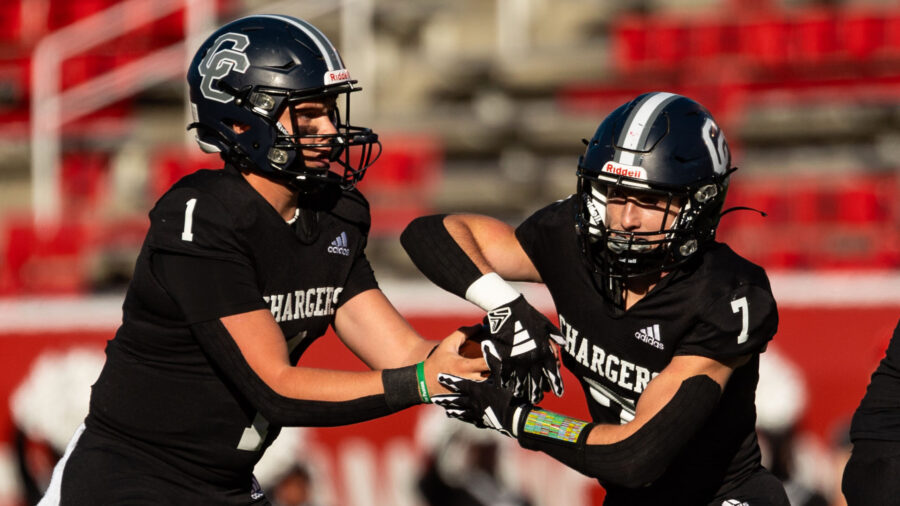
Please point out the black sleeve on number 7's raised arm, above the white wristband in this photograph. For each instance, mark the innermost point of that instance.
(434, 252)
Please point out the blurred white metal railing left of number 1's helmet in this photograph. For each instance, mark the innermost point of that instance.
(52, 107)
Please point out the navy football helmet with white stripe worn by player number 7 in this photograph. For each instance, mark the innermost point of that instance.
(658, 143)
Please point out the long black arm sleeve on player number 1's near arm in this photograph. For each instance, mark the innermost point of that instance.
(285, 411)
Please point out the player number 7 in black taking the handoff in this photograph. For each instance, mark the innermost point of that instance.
(661, 324)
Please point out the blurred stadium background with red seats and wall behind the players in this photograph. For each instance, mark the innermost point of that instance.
(481, 106)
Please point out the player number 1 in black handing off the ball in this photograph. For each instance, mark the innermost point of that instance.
(241, 270)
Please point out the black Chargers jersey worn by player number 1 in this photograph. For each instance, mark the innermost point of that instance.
(159, 390)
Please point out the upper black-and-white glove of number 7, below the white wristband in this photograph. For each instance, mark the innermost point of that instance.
(518, 351)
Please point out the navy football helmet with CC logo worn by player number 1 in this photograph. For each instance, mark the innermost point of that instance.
(247, 73)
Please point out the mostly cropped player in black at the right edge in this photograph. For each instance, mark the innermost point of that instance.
(871, 475)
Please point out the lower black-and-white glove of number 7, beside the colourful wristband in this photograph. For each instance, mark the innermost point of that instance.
(482, 404)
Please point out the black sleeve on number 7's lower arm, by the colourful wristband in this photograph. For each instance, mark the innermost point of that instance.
(644, 456)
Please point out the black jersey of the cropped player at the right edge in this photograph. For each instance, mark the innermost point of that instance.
(878, 415)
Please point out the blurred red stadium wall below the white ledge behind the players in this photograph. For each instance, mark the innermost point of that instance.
(836, 348)
